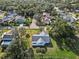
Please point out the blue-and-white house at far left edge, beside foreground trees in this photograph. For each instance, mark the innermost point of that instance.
(6, 40)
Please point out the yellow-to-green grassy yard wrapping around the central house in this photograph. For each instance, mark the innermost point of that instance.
(53, 51)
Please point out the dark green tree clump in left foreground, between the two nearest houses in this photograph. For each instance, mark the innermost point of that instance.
(18, 49)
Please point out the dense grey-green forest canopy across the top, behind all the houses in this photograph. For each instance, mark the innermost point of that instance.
(29, 7)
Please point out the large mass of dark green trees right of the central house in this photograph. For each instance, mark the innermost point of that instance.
(64, 35)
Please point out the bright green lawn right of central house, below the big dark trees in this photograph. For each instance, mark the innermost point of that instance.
(56, 52)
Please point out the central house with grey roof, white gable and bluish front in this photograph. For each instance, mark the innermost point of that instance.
(40, 39)
